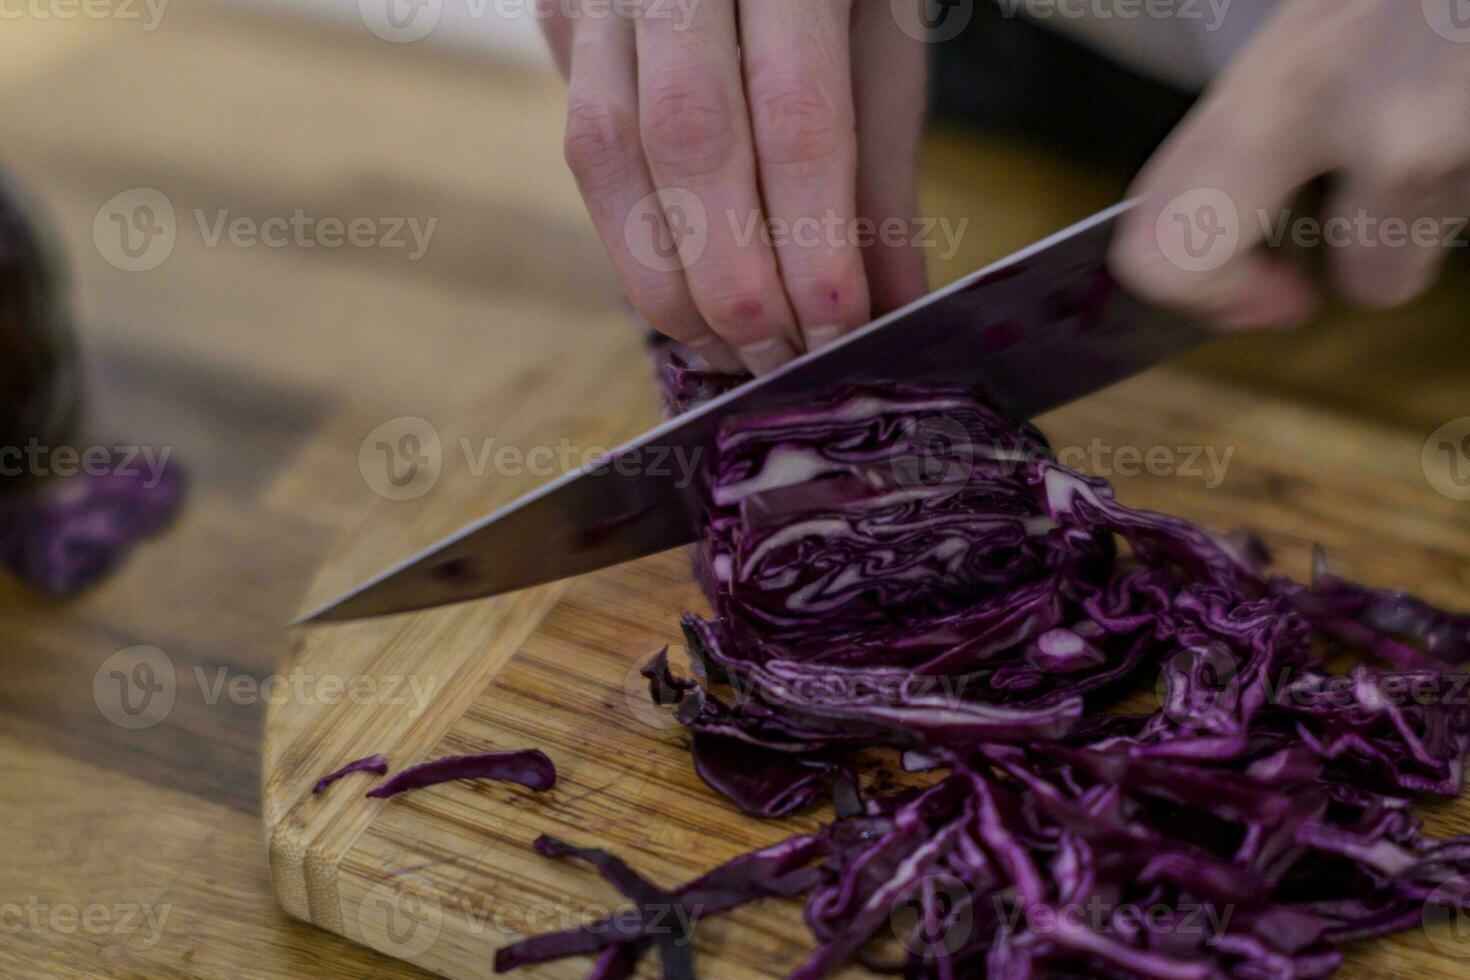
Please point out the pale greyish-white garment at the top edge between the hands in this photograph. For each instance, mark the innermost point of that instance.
(1180, 42)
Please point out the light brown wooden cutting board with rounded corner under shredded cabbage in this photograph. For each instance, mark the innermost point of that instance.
(445, 876)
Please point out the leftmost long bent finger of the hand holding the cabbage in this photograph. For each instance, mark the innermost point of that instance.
(606, 158)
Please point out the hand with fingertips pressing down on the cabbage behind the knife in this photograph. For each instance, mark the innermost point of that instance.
(803, 114)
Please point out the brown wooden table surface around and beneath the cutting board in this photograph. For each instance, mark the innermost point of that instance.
(139, 853)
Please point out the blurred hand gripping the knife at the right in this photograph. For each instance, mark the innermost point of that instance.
(1375, 93)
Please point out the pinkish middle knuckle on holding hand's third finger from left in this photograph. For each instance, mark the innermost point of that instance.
(797, 123)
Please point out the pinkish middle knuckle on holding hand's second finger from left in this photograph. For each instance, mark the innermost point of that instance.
(689, 124)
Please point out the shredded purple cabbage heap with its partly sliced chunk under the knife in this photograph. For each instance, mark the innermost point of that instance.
(908, 569)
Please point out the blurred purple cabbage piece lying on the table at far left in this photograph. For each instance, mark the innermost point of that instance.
(68, 533)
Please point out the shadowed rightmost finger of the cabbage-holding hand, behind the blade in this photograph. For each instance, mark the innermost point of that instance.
(890, 90)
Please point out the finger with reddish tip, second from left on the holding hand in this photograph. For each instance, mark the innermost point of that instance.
(696, 136)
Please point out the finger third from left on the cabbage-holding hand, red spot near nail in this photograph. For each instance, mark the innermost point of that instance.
(799, 82)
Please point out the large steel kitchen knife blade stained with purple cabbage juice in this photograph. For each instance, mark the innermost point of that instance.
(1034, 331)
